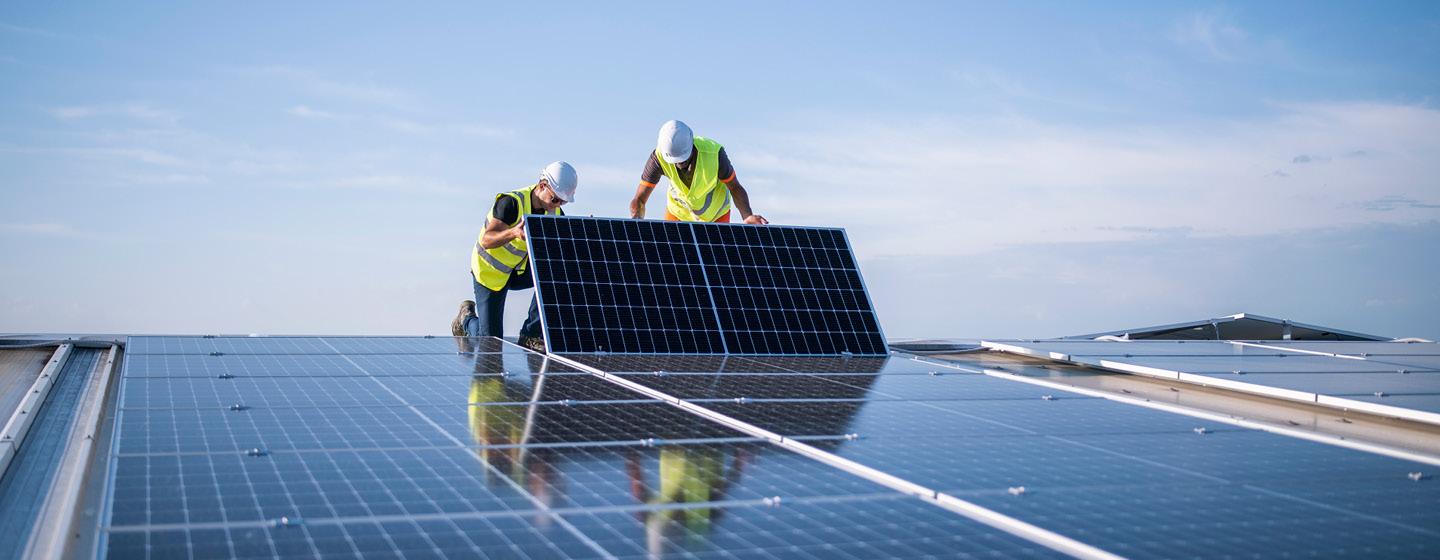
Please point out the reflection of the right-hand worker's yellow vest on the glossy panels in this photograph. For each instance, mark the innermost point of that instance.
(689, 474)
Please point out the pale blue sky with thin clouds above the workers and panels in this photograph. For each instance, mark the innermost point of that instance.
(1029, 169)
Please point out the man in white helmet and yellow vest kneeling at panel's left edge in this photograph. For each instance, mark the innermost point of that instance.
(499, 263)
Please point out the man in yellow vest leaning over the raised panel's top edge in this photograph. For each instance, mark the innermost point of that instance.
(702, 179)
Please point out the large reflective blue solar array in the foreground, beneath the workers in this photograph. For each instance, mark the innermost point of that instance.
(503, 454)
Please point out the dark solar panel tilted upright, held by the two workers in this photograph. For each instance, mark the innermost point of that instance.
(699, 289)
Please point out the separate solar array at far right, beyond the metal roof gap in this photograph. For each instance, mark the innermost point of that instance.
(1393, 379)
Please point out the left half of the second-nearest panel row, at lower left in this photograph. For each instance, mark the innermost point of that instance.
(231, 487)
